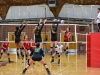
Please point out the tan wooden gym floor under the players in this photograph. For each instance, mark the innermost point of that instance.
(75, 66)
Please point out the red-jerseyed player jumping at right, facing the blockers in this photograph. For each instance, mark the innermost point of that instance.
(66, 39)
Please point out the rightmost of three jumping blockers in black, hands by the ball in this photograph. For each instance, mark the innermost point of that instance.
(54, 37)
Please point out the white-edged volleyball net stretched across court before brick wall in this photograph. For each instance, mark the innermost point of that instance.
(79, 33)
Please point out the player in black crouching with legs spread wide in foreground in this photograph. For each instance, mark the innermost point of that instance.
(37, 54)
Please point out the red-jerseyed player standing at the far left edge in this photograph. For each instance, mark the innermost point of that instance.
(4, 48)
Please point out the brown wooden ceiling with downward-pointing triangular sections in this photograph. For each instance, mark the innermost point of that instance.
(6, 4)
